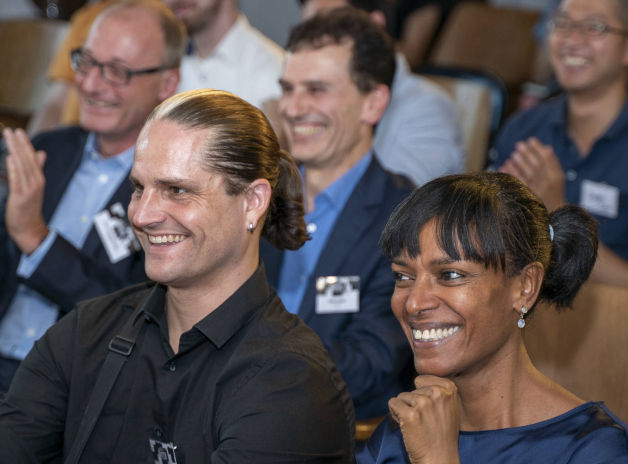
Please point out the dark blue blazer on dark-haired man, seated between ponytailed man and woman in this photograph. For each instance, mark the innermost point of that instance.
(368, 347)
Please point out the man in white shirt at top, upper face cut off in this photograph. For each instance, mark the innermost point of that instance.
(225, 52)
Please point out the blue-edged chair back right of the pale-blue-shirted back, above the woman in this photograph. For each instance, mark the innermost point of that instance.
(480, 99)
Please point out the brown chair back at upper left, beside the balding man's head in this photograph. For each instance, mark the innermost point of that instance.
(27, 48)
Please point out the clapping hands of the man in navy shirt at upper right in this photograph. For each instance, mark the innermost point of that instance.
(536, 165)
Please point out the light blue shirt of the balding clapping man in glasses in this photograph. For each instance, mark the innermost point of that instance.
(96, 180)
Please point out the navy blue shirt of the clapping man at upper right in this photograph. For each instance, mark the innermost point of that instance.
(607, 163)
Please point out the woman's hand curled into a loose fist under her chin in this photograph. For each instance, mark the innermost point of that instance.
(429, 418)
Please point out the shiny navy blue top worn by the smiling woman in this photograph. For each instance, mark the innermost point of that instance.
(588, 434)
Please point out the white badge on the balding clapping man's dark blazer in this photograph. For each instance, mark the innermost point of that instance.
(115, 233)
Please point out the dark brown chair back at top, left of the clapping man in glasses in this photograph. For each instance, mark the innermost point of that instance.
(484, 37)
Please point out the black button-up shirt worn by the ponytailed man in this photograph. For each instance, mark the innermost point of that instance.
(250, 383)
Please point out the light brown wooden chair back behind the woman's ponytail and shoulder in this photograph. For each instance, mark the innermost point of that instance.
(585, 349)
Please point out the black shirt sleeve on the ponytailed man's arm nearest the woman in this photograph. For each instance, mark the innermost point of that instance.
(289, 409)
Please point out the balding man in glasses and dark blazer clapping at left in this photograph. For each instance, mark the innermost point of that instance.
(64, 235)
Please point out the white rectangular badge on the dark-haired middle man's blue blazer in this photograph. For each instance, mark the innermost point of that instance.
(337, 294)
